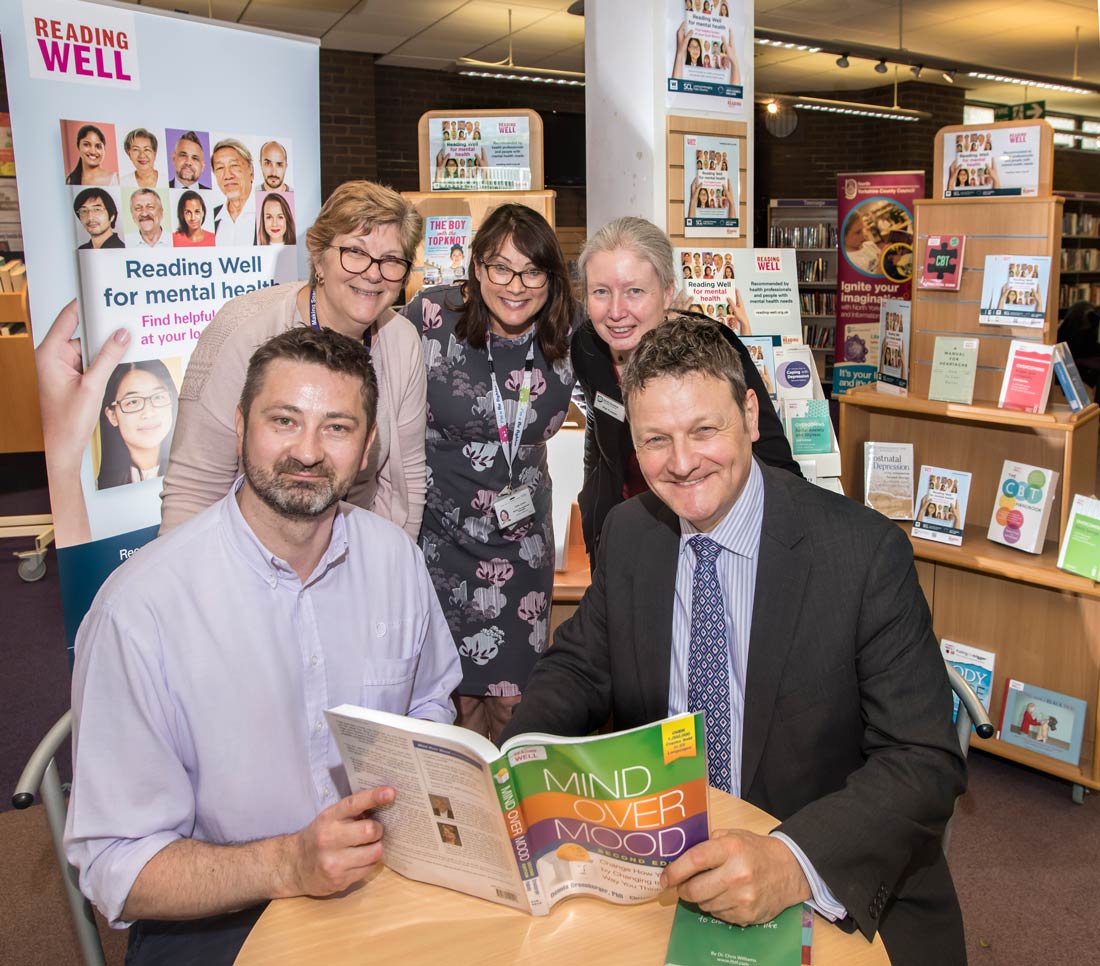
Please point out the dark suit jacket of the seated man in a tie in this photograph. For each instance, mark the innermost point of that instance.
(848, 736)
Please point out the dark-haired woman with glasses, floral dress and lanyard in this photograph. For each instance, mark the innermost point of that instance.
(497, 348)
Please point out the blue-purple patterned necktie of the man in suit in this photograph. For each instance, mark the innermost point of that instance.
(709, 660)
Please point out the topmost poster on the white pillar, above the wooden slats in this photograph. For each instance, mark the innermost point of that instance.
(707, 53)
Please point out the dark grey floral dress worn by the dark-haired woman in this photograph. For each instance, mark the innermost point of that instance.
(494, 587)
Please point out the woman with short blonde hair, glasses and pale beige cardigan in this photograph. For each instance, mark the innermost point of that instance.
(361, 249)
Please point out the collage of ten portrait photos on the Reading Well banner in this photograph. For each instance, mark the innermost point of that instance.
(140, 186)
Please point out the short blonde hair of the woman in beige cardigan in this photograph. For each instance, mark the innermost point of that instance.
(359, 208)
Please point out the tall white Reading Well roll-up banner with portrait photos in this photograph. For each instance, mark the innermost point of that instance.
(166, 166)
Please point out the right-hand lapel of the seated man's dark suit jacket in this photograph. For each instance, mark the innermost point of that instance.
(782, 573)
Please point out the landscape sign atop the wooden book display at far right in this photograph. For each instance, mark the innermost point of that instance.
(998, 161)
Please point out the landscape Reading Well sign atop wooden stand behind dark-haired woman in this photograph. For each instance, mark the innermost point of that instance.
(480, 155)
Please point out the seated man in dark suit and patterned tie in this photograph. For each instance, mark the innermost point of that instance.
(834, 713)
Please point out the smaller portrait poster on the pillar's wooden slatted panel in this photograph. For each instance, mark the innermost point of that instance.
(711, 186)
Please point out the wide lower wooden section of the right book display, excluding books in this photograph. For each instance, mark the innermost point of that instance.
(1042, 623)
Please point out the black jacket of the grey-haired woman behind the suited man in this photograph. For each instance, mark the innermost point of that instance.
(608, 444)
